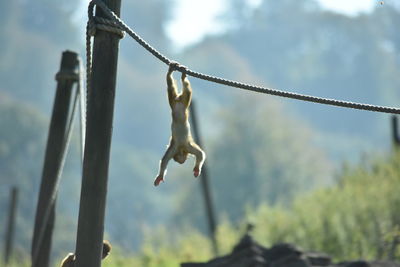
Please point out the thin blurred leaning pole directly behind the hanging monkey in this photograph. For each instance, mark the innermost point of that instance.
(205, 184)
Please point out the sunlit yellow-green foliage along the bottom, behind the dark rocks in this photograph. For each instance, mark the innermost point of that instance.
(356, 218)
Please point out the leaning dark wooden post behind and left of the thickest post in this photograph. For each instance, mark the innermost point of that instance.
(45, 212)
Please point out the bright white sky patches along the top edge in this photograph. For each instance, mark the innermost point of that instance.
(195, 19)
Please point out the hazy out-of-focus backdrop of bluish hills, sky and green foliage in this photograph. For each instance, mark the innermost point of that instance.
(282, 164)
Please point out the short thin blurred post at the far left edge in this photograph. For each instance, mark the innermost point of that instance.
(11, 224)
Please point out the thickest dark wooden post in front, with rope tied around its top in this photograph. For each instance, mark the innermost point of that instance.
(97, 146)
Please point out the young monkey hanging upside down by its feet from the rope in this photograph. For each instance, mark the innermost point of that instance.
(181, 141)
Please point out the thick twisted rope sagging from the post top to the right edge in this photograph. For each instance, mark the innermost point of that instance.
(259, 89)
